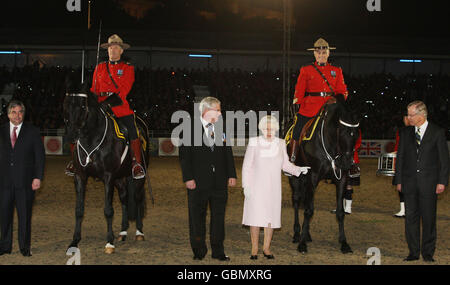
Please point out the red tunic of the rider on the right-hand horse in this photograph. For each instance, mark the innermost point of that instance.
(310, 80)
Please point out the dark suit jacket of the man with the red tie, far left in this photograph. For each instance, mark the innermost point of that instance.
(19, 166)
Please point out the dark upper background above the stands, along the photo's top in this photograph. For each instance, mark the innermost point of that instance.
(402, 25)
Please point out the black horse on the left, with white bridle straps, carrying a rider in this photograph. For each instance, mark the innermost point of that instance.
(102, 152)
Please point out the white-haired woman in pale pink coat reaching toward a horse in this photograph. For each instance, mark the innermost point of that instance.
(264, 160)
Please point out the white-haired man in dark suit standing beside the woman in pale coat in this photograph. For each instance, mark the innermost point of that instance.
(208, 169)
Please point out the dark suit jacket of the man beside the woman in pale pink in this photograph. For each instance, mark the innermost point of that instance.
(209, 169)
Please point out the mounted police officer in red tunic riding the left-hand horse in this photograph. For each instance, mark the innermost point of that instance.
(112, 82)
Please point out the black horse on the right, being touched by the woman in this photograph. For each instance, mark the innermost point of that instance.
(329, 153)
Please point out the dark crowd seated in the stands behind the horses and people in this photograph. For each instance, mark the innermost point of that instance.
(381, 99)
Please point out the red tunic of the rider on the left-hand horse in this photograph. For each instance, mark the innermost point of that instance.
(123, 74)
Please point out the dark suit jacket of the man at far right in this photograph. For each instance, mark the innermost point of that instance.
(427, 167)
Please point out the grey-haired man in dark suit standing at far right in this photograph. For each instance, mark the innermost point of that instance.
(421, 174)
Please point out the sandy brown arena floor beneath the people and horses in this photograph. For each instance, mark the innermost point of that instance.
(166, 226)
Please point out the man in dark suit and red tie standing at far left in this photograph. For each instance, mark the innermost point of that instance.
(22, 158)
